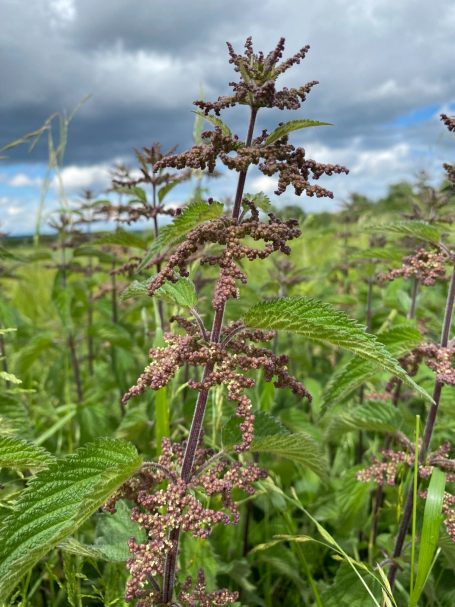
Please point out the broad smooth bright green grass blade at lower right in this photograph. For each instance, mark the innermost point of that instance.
(431, 527)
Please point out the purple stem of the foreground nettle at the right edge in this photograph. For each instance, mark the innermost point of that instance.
(429, 426)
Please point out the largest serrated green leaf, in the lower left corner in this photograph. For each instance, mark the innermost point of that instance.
(57, 501)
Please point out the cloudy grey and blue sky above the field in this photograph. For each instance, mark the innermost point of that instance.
(385, 67)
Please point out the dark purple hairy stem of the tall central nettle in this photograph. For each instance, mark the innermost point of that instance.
(199, 411)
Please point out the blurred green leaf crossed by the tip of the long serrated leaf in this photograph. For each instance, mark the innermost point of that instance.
(399, 340)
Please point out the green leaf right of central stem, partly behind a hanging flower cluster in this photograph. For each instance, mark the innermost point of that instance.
(272, 438)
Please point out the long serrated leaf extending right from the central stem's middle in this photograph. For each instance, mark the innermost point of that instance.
(321, 323)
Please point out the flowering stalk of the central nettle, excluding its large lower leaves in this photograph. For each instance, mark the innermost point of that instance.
(179, 493)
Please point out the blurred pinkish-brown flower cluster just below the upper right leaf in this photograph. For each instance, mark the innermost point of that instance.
(426, 266)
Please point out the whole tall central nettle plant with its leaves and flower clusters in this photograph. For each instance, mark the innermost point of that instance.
(191, 488)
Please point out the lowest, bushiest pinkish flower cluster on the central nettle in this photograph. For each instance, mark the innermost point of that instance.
(164, 502)
